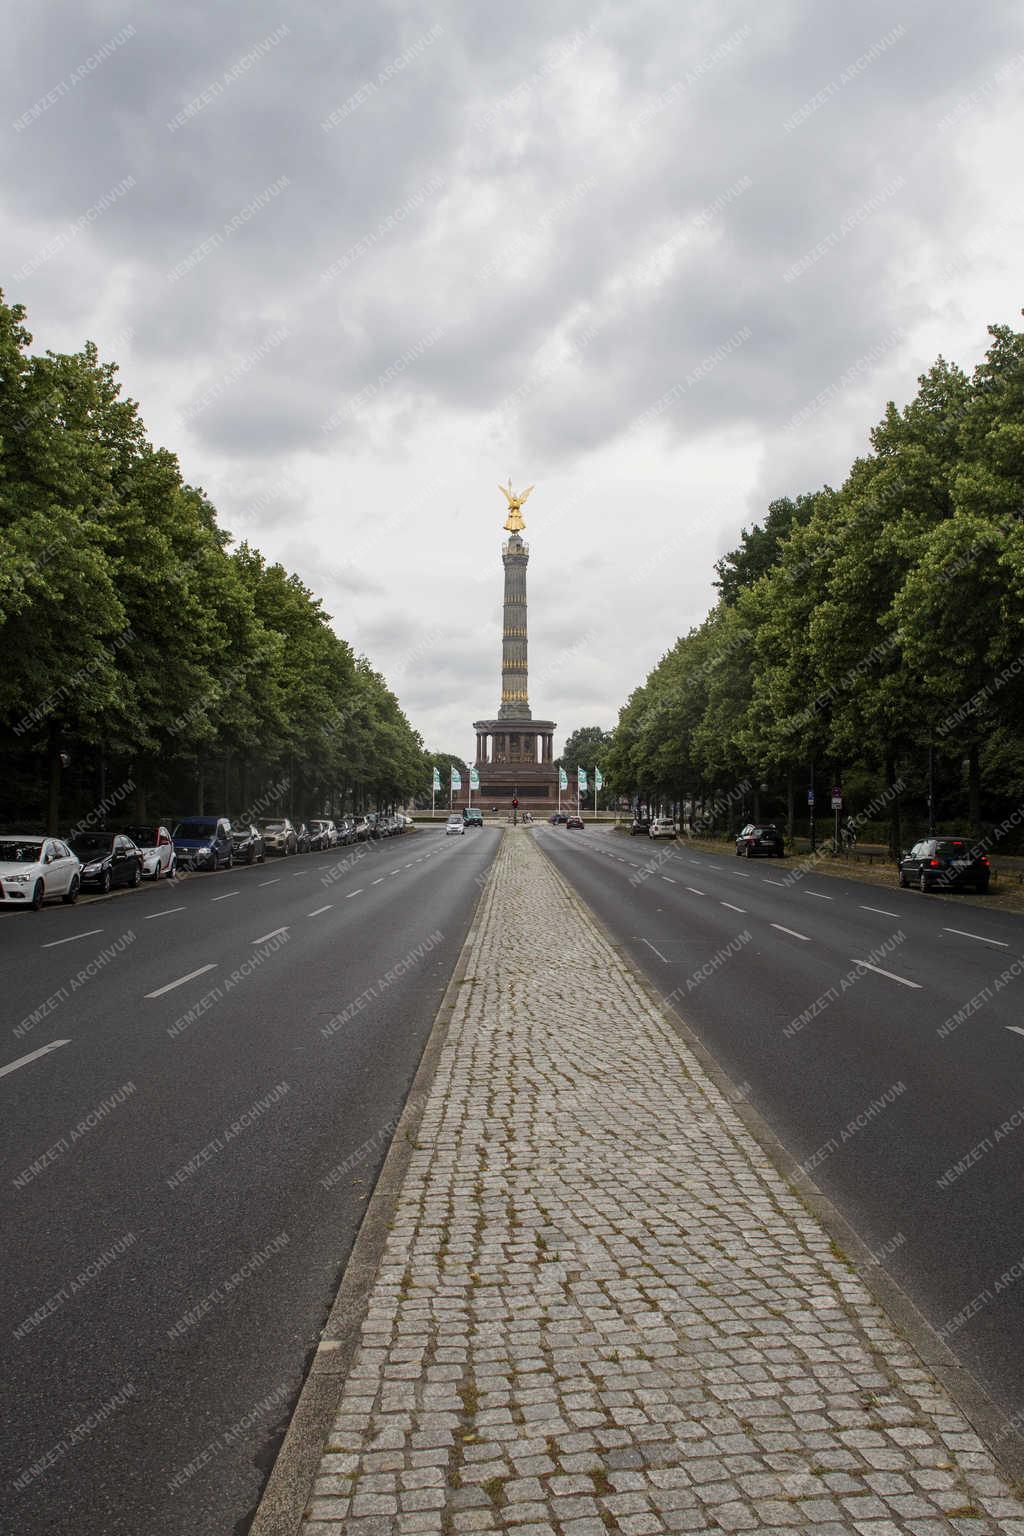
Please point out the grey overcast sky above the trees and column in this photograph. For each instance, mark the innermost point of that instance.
(664, 260)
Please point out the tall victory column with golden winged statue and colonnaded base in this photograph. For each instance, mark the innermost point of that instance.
(515, 753)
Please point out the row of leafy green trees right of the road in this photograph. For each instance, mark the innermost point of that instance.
(870, 637)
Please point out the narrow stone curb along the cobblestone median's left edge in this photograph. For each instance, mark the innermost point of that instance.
(286, 1495)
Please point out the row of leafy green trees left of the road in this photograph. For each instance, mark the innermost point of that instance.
(148, 663)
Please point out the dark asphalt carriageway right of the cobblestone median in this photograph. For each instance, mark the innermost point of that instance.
(880, 1034)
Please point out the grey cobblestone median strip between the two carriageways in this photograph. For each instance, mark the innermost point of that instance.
(603, 1309)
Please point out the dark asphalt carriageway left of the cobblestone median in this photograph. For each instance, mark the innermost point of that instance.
(187, 1164)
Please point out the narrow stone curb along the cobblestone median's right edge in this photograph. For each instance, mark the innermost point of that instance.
(993, 1426)
